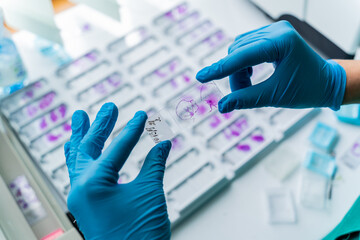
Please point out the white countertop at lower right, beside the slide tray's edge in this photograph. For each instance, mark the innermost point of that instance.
(240, 212)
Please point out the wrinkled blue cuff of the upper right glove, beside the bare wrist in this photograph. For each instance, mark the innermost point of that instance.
(338, 79)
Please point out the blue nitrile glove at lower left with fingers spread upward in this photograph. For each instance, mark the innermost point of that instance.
(103, 208)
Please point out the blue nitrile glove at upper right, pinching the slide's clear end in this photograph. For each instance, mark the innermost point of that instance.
(301, 79)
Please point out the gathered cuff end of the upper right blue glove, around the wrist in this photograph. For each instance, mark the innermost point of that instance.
(336, 80)
